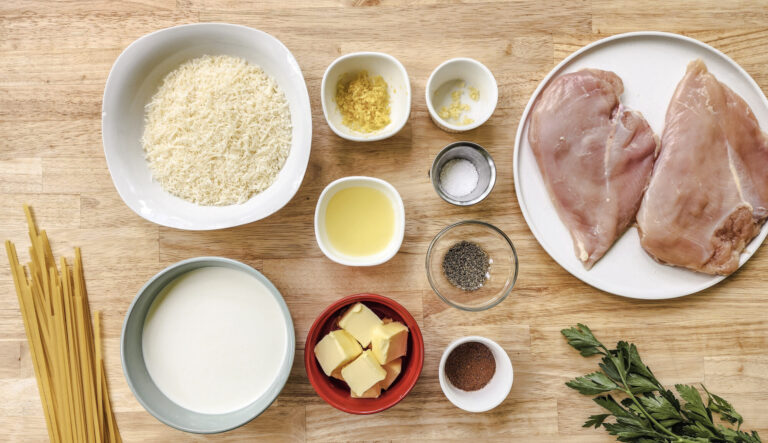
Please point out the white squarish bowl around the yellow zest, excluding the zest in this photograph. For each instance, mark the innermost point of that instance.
(376, 63)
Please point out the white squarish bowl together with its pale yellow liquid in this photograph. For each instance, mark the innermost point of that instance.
(360, 221)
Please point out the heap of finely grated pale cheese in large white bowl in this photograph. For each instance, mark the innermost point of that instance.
(217, 131)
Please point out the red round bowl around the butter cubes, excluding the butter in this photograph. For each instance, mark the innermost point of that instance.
(336, 392)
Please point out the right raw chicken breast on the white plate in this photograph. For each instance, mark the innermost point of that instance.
(708, 194)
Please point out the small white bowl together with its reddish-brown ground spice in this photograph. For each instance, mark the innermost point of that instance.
(475, 373)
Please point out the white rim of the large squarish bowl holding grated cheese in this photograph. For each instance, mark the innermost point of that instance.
(192, 226)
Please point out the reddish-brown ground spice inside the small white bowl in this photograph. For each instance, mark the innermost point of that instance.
(470, 366)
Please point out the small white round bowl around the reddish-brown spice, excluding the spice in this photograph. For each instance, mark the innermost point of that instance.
(492, 394)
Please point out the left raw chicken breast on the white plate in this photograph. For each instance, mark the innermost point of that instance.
(595, 157)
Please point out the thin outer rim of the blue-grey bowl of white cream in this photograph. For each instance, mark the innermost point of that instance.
(290, 354)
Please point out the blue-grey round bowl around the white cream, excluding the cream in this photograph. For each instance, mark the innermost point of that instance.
(144, 388)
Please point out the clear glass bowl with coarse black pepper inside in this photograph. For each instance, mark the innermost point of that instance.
(472, 265)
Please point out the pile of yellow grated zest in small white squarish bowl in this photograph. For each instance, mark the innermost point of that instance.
(363, 101)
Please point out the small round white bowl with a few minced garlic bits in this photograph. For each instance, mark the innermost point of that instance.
(445, 78)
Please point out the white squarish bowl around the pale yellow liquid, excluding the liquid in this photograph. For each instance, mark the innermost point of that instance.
(322, 236)
